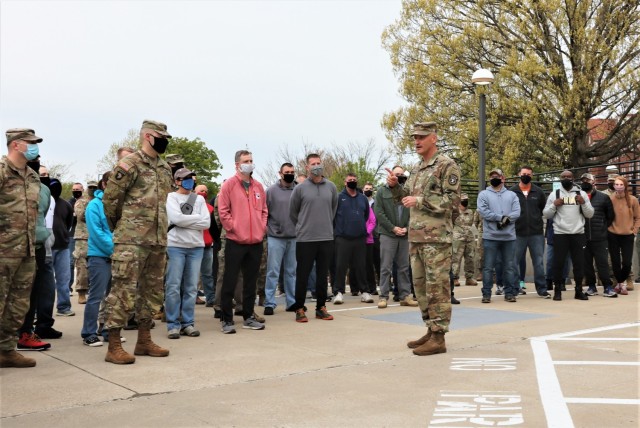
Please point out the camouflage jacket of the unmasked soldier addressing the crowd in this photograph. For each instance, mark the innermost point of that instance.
(436, 185)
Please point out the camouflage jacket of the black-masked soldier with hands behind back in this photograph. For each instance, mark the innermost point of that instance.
(135, 200)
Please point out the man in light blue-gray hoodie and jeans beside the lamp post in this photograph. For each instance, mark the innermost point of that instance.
(499, 209)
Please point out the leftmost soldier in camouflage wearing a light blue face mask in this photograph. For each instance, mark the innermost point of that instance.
(19, 195)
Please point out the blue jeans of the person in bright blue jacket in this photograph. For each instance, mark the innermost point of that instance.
(99, 269)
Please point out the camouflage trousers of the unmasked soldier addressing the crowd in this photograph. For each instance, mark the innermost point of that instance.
(430, 264)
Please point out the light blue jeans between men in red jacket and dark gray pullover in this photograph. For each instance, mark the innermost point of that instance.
(279, 251)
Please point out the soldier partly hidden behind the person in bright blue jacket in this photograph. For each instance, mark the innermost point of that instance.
(81, 236)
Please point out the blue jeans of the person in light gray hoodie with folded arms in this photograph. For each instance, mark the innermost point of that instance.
(183, 268)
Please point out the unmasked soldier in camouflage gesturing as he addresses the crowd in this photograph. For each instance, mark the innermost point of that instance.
(433, 193)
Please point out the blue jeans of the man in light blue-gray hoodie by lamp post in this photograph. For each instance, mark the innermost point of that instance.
(492, 250)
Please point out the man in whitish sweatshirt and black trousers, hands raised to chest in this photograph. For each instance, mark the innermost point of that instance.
(568, 207)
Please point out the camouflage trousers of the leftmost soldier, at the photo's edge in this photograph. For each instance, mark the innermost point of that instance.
(16, 281)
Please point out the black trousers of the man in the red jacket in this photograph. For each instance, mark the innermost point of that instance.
(245, 258)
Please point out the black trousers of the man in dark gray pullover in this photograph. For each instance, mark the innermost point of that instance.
(307, 253)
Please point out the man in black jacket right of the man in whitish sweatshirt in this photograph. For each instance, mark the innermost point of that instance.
(595, 229)
